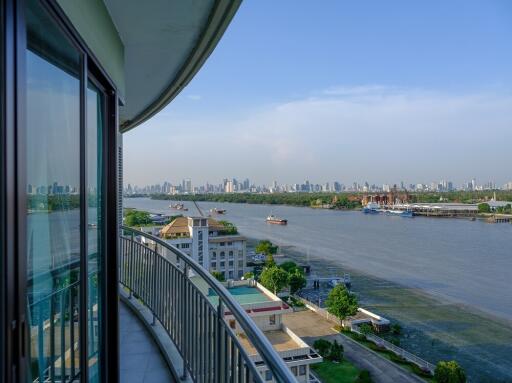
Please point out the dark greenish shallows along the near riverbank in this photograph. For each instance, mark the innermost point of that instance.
(433, 327)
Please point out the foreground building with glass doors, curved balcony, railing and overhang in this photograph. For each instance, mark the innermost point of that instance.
(74, 77)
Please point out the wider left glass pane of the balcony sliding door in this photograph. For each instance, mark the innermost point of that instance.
(52, 156)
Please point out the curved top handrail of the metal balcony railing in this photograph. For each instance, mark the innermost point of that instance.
(260, 342)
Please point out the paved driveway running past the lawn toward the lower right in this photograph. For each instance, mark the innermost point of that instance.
(311, 326)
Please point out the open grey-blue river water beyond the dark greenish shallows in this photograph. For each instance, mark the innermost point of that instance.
(464, 261)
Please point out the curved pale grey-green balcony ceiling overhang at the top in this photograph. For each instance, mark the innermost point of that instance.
(165, 43)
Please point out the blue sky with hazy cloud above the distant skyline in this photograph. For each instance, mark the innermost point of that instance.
(377, 91)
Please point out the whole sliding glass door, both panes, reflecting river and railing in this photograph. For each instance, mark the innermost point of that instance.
(63, 145)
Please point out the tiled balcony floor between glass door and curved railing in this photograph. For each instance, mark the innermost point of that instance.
(141, 361)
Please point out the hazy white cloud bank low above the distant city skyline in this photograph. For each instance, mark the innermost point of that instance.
(374, 133)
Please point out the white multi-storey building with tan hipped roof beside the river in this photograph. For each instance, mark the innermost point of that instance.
(206, 241)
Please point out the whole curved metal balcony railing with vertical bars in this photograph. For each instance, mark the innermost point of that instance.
(177, 289)
